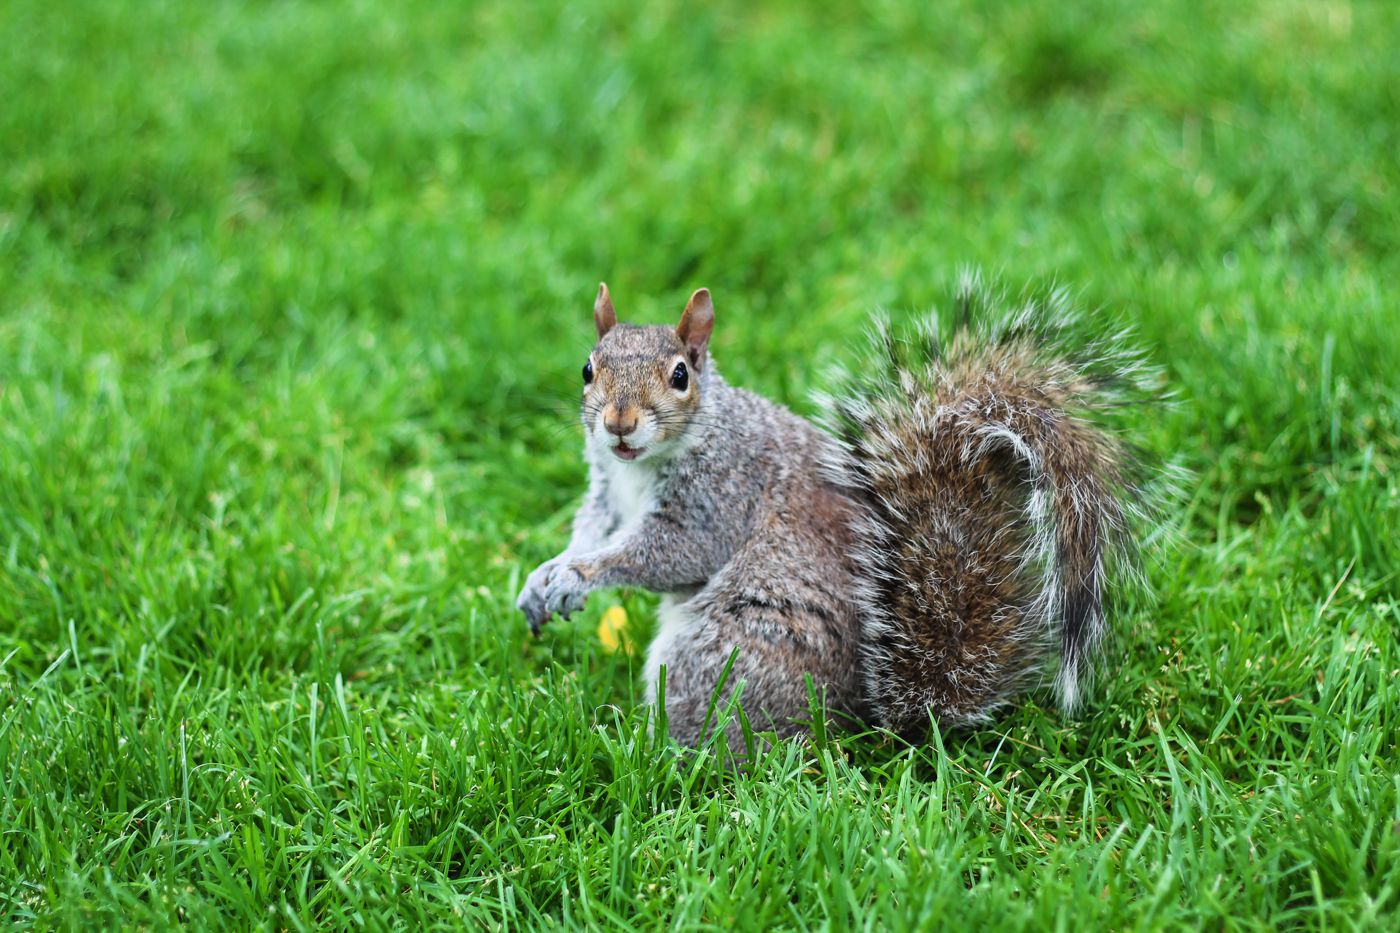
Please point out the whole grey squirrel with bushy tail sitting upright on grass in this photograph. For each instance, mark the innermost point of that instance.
(950, 536)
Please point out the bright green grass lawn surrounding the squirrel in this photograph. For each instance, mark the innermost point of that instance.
(292, 296)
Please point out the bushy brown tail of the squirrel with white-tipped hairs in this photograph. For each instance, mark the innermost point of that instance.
(999, 506)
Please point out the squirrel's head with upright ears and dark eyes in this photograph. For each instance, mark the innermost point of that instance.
(643, 385)
